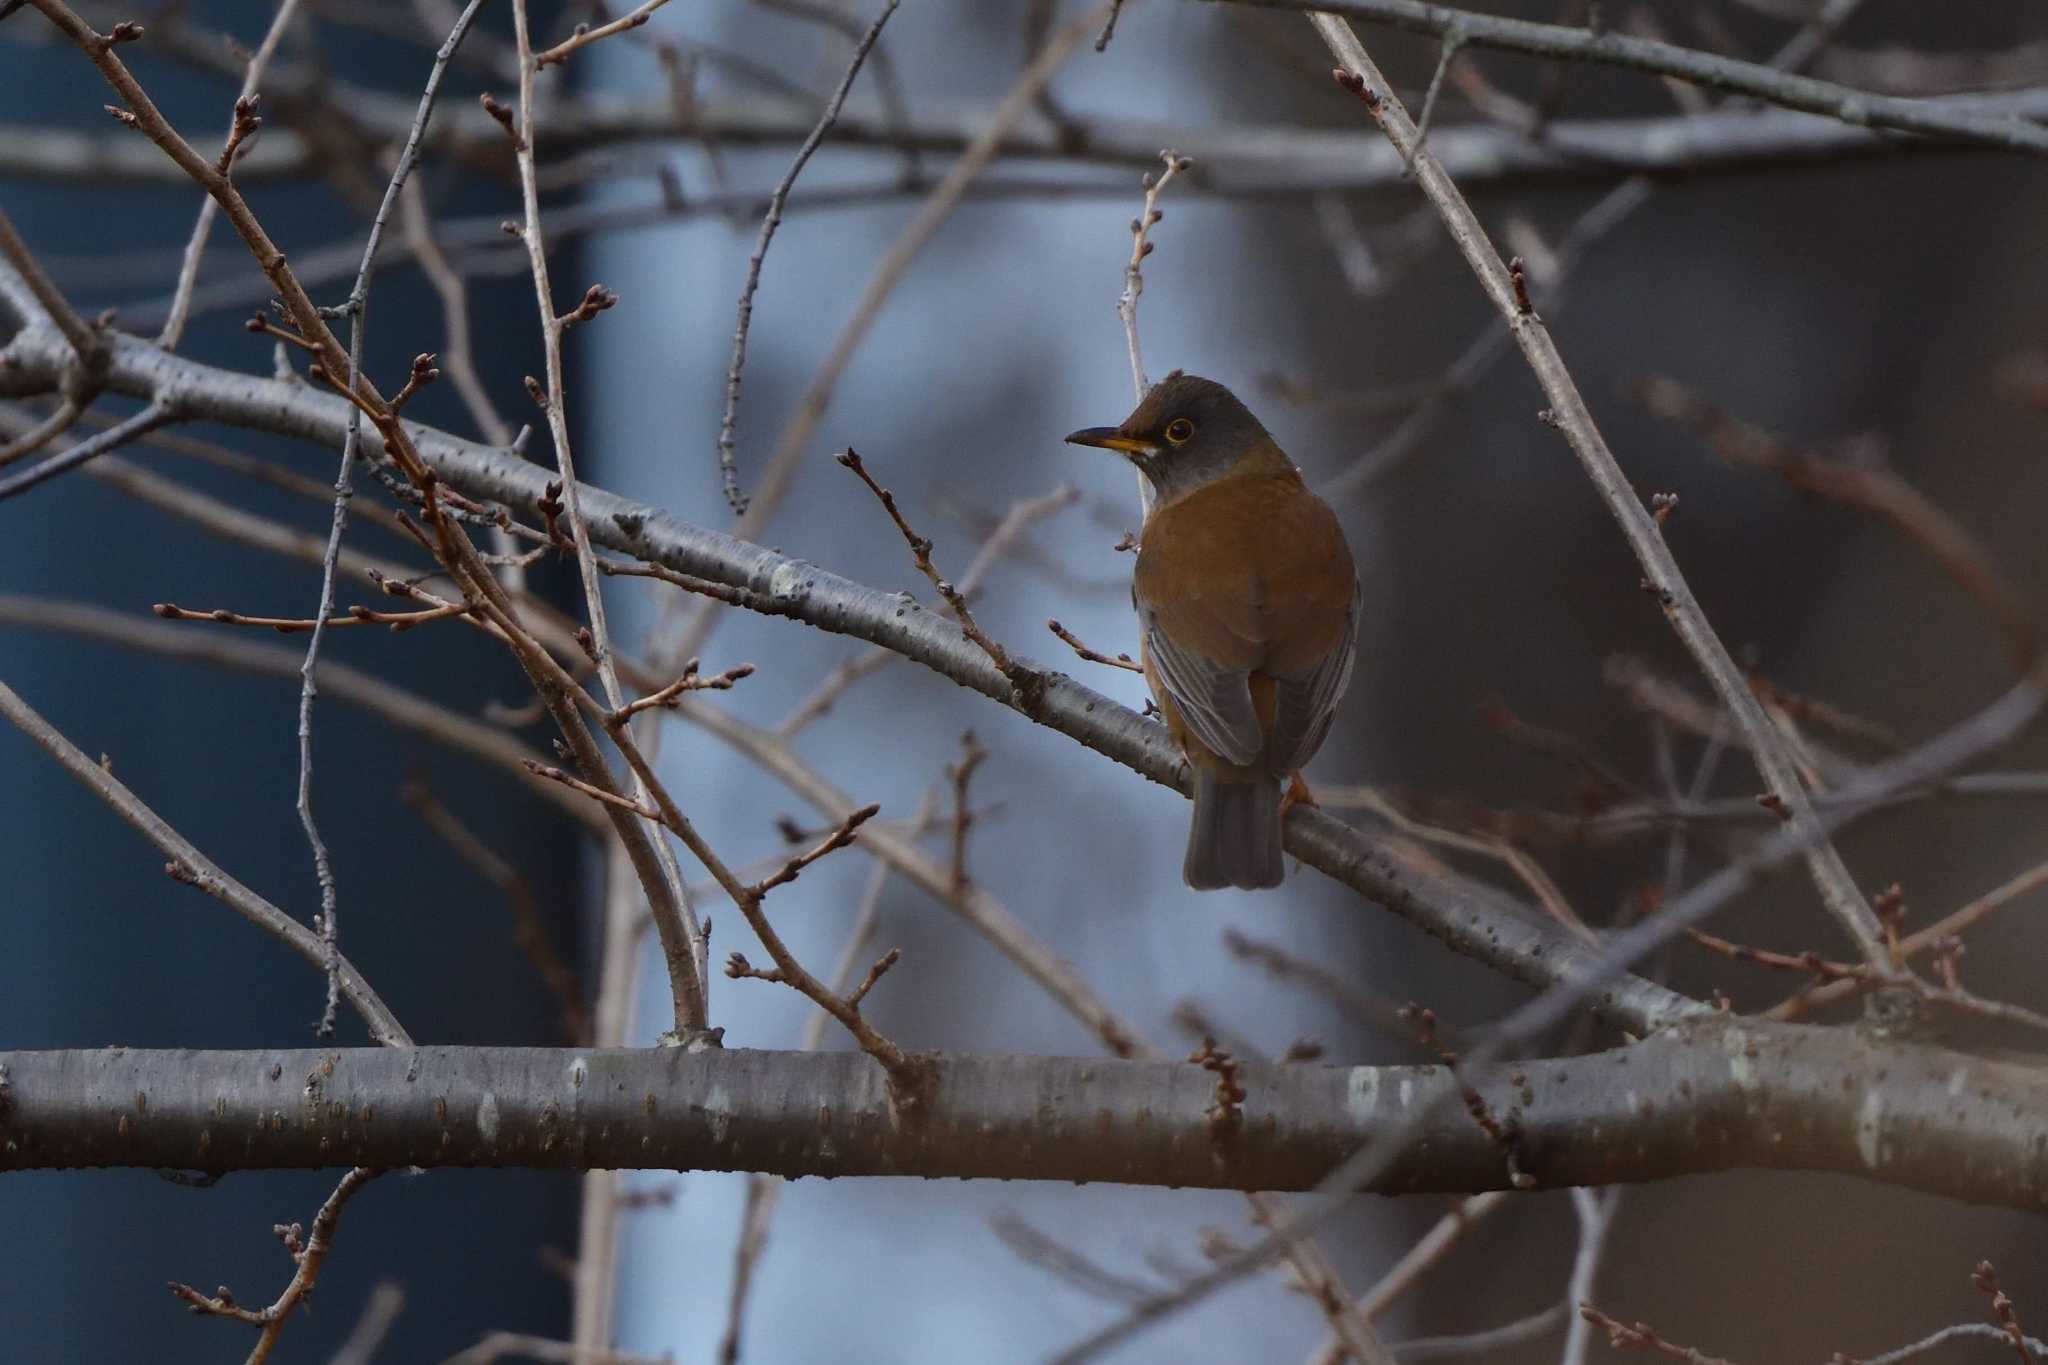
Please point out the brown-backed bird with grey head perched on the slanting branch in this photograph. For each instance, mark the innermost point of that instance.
(1248, 613)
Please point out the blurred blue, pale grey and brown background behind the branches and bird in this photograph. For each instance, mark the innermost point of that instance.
(1881, 312)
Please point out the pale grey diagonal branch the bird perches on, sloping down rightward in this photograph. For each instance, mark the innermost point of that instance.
(1469, 918)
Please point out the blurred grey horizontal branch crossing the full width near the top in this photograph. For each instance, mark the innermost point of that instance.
(1234, 161)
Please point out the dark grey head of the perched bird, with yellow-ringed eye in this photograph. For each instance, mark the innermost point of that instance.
(1187, 433)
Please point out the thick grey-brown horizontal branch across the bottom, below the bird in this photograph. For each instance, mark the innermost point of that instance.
(1707, 1096)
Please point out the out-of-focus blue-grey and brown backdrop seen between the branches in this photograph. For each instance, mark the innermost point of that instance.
(1820, 302)
